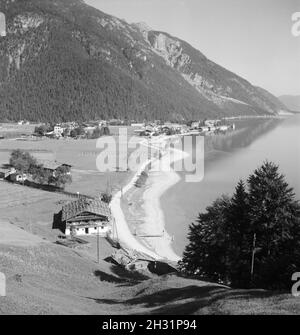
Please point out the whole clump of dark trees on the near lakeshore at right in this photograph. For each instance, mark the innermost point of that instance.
(251, 239)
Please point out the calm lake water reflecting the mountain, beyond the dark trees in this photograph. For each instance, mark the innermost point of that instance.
(238, 155)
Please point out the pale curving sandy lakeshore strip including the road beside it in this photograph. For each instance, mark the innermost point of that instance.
(138, 215)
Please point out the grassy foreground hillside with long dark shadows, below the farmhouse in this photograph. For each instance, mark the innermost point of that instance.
(49, 279)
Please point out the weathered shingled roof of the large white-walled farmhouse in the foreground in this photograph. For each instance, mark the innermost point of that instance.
(94, 206)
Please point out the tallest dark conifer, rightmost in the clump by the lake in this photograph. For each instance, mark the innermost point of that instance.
(274, 215)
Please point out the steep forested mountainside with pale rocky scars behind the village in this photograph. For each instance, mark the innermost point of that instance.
(63, 60)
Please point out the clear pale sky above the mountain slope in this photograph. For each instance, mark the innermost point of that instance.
(251, 38)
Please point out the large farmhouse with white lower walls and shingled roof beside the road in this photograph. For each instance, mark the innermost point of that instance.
(86, 217)
